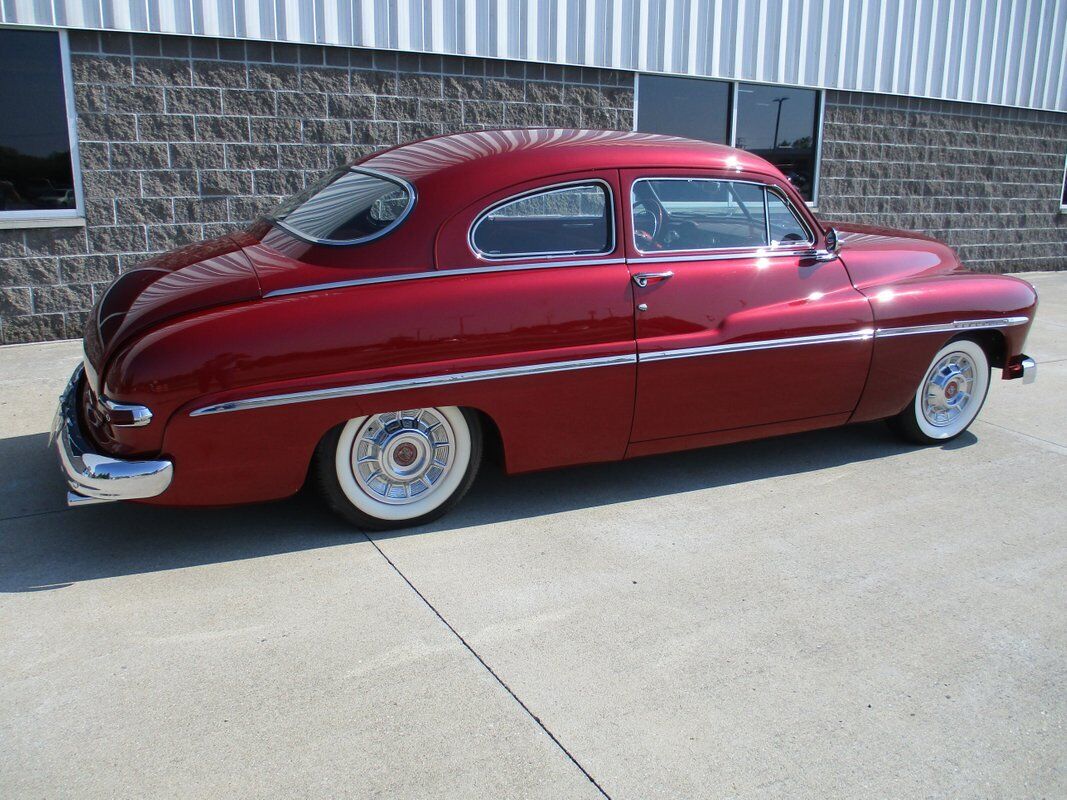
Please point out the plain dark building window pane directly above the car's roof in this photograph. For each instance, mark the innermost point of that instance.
(684, 107)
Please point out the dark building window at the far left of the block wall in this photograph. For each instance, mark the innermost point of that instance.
(36, 169)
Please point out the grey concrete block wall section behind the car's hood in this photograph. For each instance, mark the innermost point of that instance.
(986, 181)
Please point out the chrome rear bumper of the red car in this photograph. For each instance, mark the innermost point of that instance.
(97, 478)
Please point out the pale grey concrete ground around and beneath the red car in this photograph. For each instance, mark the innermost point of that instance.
(823, 616)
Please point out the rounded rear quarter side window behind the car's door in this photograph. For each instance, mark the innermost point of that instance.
(562, 221)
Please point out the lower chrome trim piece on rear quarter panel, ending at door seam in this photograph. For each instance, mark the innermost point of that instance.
(415, 383)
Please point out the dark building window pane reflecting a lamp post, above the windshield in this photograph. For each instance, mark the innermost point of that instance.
(781, 125)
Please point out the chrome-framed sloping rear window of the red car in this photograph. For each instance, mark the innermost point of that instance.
(347, 207)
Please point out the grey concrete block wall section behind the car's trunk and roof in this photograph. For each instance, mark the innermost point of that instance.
(184, 139)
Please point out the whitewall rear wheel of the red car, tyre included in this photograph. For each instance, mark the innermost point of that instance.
(400, 469)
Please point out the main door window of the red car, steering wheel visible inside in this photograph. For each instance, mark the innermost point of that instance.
(697, 214)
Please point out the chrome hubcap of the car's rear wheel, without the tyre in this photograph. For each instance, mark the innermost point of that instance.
(399, 457)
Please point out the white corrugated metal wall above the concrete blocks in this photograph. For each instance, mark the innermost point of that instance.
(1011, 53)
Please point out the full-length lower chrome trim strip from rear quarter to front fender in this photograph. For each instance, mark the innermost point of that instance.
(611, 361)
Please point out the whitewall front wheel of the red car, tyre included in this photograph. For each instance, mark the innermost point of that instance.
(949, 398)
